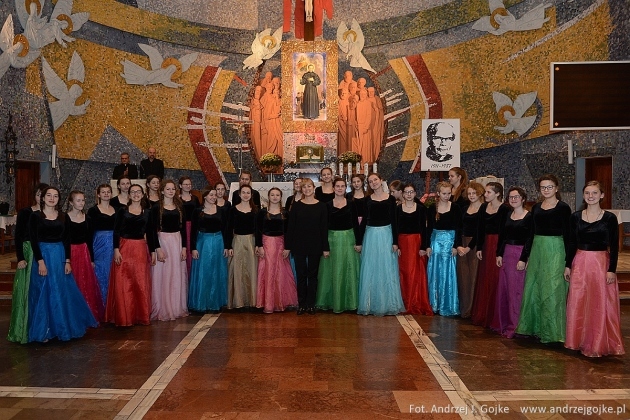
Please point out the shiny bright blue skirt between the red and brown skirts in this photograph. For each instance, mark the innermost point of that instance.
(442, 274)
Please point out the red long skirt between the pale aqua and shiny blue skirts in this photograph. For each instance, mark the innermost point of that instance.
(413, 275)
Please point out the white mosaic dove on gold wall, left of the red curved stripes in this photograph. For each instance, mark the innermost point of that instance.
(163, 71)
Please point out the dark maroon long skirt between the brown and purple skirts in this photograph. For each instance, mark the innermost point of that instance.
(484, 302)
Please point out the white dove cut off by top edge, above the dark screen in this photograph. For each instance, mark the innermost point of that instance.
(501, 20)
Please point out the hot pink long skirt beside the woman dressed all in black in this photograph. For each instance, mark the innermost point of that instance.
(276, 285)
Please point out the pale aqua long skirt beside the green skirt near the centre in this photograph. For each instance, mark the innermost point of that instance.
(379, 283)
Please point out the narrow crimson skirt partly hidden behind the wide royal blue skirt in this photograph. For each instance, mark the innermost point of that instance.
(85, 278)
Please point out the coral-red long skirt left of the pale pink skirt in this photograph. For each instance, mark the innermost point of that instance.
(129, 296)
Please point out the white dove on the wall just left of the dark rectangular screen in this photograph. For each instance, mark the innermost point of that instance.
(511, 113)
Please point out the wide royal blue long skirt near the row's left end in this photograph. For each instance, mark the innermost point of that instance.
(56, 307)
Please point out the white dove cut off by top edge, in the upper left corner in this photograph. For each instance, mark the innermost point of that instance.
(61, 24)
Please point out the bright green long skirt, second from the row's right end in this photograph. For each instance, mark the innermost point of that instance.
(543, 309)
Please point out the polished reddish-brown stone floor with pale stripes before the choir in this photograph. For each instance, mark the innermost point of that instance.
(254, 365)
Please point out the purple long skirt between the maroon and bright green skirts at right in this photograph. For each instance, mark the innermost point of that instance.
(509, 292)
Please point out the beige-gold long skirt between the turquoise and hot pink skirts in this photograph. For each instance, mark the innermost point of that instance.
(242, 273)
